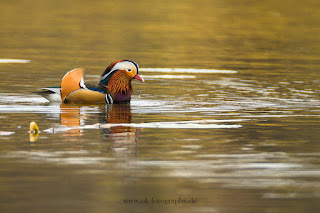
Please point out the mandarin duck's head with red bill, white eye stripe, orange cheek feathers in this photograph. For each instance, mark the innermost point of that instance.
(118, 75)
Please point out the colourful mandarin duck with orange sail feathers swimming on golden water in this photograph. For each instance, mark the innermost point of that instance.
(114, 86)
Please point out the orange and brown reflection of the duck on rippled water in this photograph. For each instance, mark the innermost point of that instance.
(78, 116)
